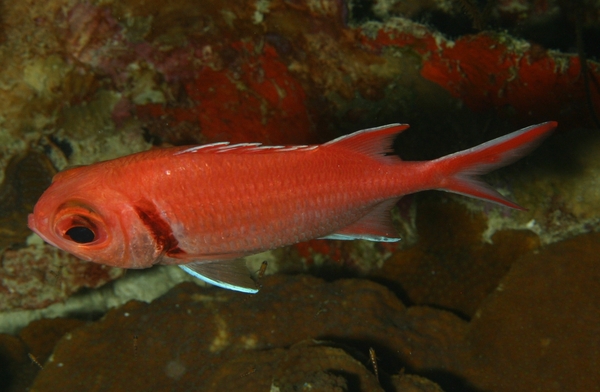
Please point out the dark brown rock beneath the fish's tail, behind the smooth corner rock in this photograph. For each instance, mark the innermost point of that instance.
(450, 266)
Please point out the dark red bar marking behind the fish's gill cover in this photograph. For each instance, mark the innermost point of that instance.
(159, 229)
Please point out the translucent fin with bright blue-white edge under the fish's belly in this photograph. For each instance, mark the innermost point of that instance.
(229, 274)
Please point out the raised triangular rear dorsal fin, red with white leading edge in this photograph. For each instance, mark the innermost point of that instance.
(374, 142)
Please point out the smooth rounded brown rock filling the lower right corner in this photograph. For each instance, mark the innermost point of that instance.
(539, 329)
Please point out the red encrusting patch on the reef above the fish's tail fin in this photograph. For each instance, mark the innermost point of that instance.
(490, 71)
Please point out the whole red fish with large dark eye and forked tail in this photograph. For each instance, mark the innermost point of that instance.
(205, 207)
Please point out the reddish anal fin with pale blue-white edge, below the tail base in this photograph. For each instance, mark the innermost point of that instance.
(375, 226)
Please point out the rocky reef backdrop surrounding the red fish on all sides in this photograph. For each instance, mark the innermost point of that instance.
(475, 298)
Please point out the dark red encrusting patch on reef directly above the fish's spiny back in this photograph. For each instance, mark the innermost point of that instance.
(255, 99)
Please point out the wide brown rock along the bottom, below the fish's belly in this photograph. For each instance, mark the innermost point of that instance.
(212, 339)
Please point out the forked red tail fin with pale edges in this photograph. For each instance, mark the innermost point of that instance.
(460, 170)
